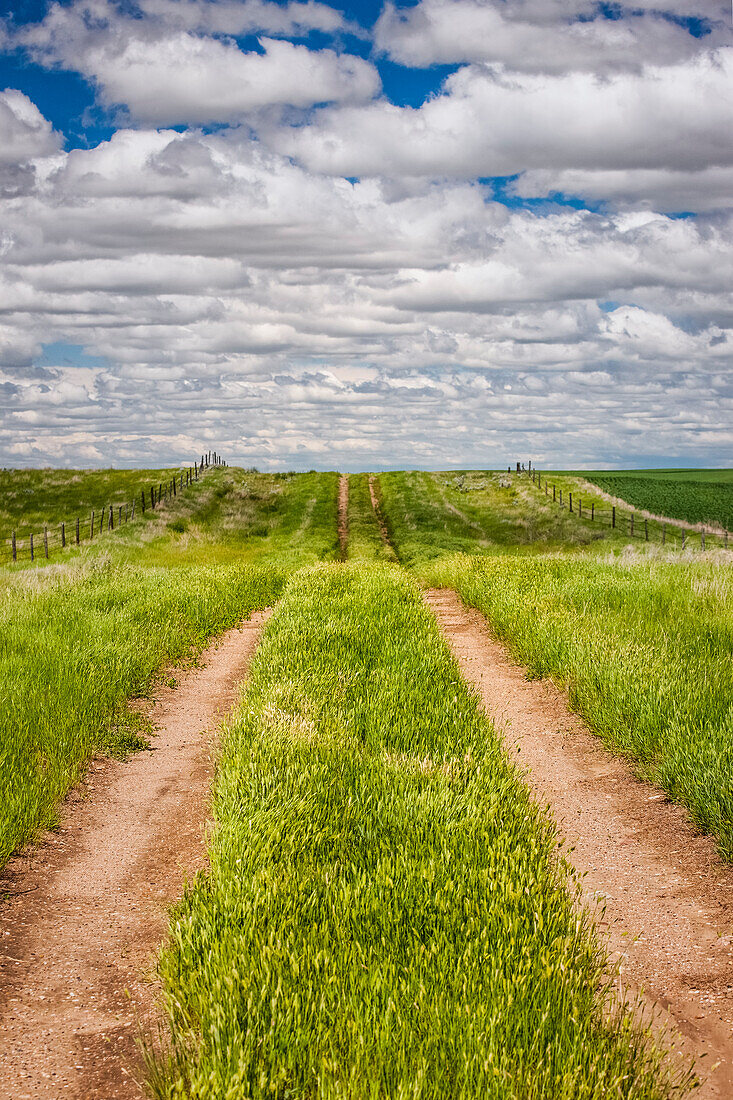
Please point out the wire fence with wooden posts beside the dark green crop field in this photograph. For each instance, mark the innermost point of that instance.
(636, 526)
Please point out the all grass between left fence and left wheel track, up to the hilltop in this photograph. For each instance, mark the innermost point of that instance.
(83, 634)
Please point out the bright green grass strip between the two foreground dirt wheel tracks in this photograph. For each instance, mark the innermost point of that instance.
(386, 914)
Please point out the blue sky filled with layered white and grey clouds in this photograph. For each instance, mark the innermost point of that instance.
(439, 234)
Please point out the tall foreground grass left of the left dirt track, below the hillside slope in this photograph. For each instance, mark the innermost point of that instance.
(75, 644)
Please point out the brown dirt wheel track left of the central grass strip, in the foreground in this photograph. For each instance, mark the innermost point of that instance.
(86, 909)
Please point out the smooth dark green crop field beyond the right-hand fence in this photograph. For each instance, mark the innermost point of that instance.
(686, 496)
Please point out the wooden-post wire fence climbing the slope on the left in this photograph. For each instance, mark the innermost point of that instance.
(30, 546)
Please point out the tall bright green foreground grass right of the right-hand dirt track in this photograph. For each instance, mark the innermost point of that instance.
(644, 646)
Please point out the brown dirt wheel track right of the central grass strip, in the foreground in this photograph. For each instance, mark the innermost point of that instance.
(669, 897)
